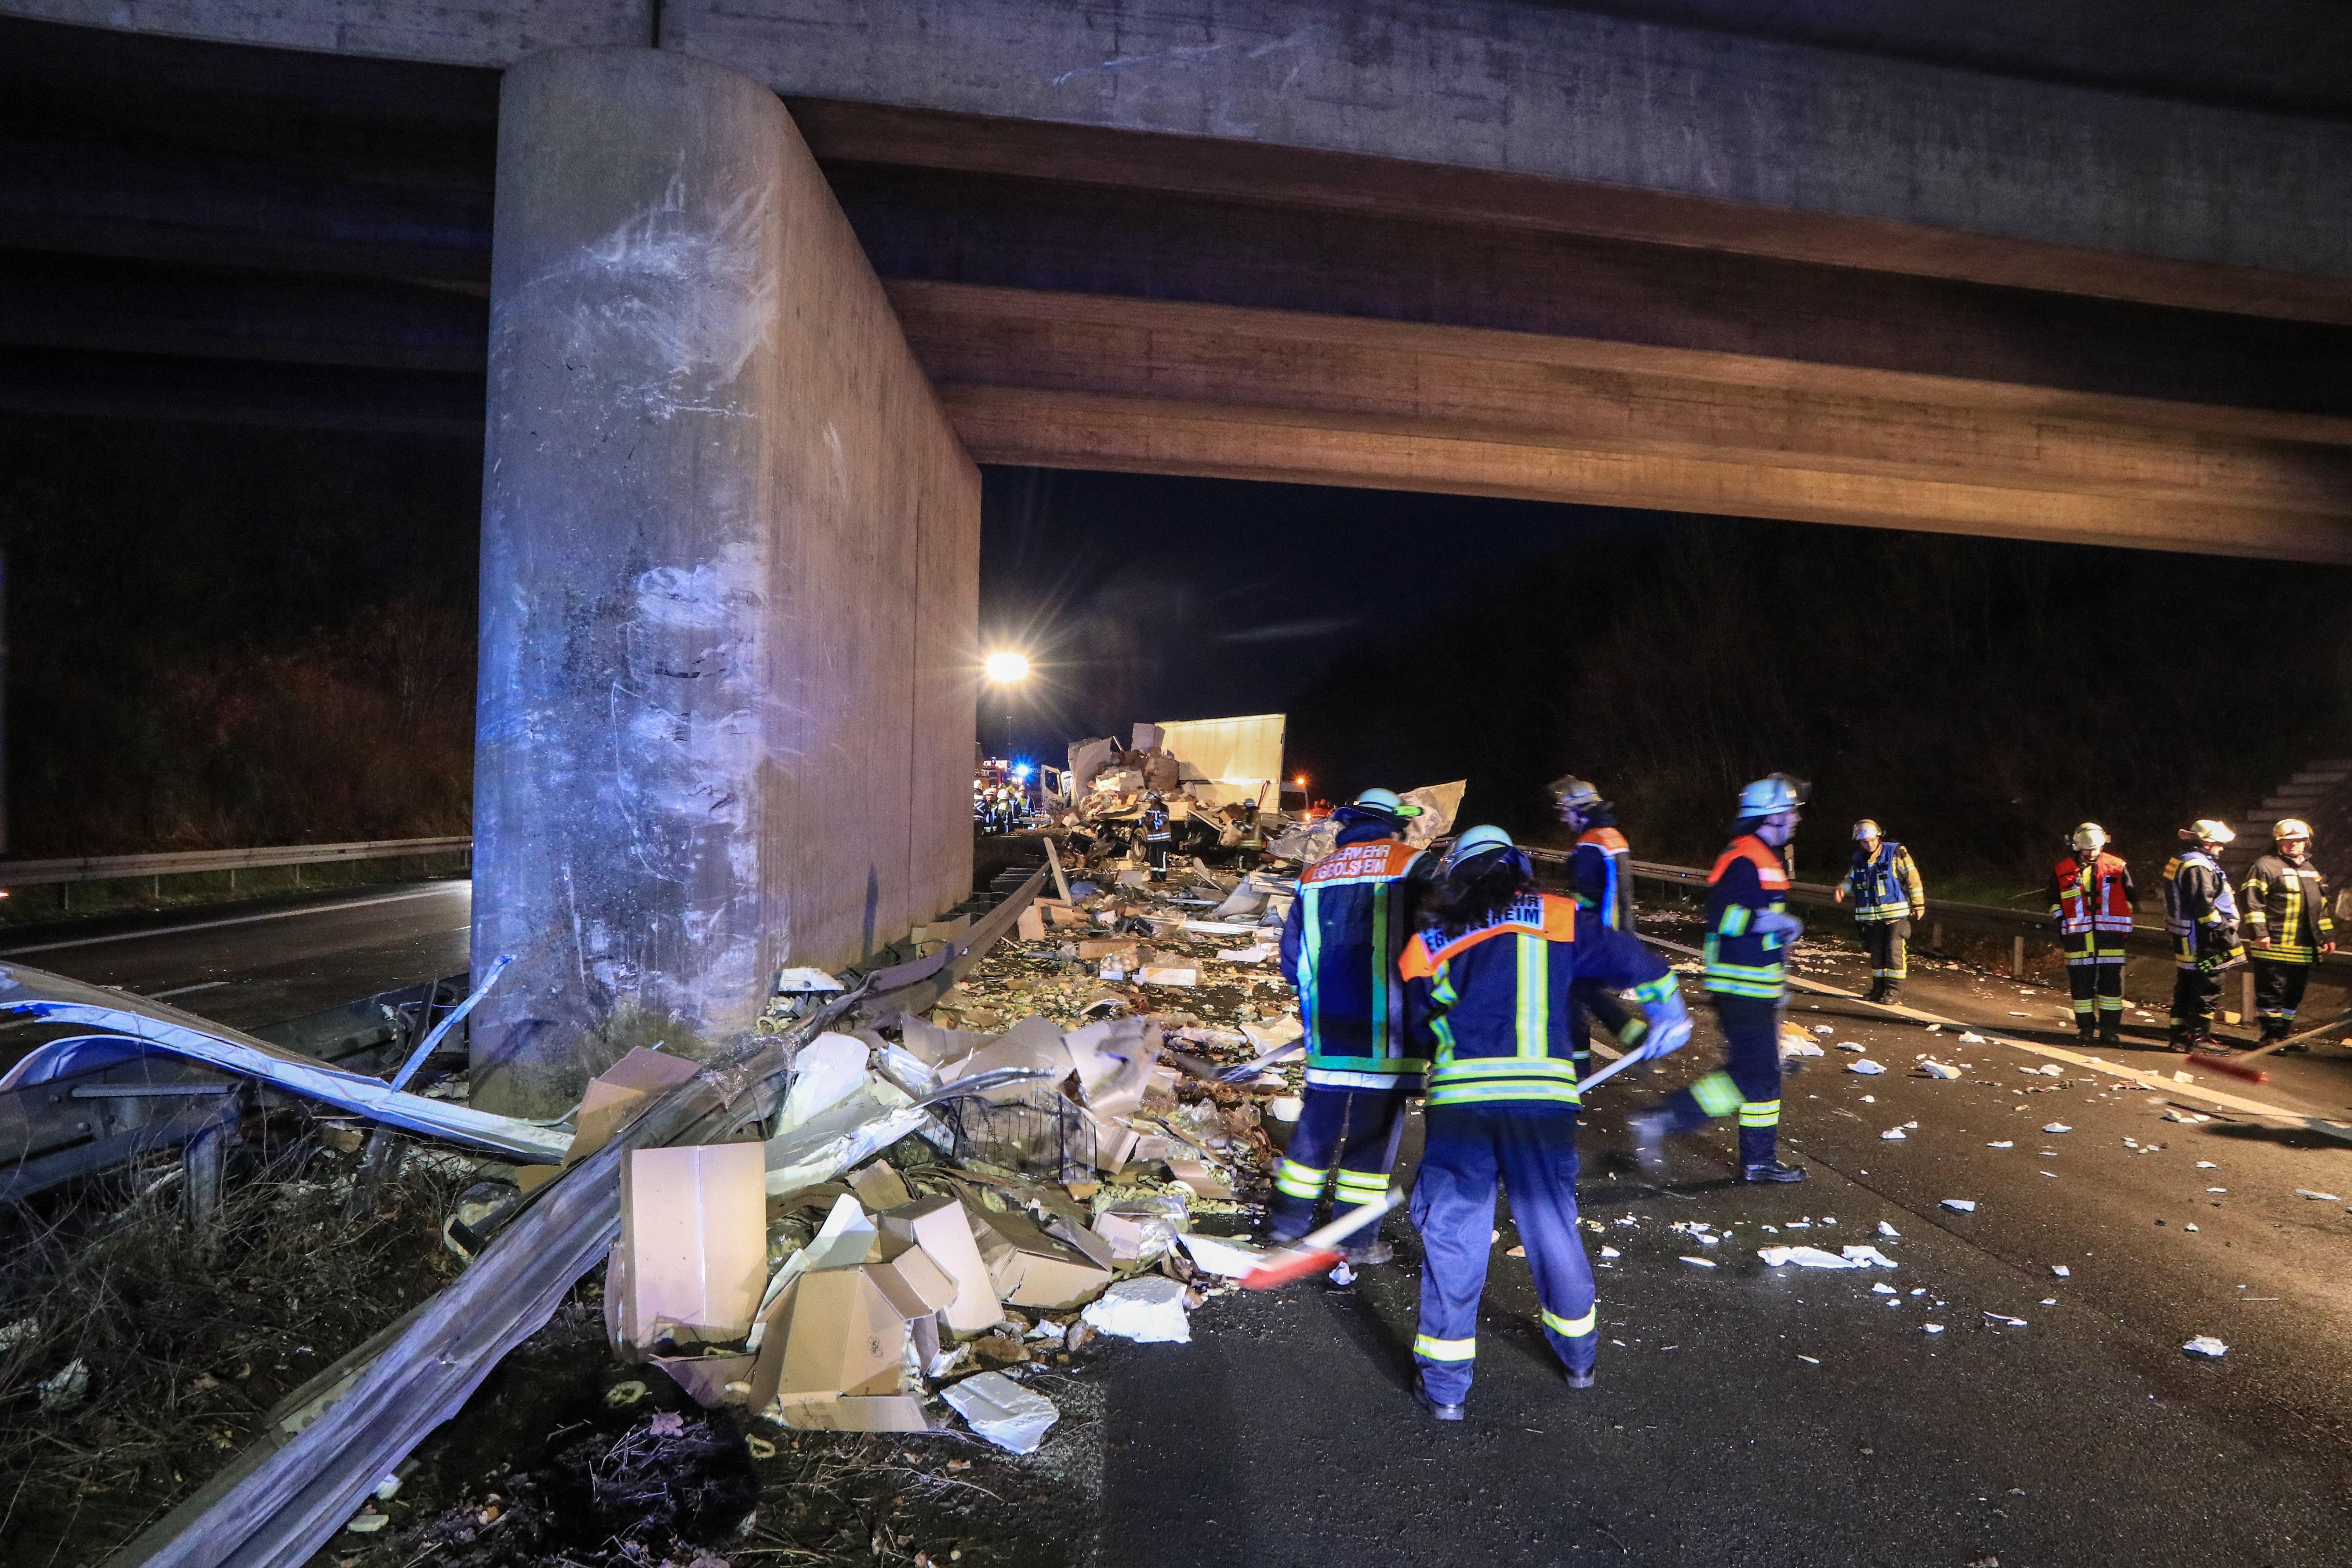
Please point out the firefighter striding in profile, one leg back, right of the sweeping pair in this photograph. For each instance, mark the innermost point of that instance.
(1746, 951)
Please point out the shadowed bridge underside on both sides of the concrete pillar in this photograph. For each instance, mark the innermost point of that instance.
(211, 232)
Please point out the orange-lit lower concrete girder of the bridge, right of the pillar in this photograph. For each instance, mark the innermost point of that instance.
(1278, 396)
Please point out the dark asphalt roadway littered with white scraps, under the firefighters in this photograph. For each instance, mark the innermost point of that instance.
(1782, 1416)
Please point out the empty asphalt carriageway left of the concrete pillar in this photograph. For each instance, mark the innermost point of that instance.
(260, 965)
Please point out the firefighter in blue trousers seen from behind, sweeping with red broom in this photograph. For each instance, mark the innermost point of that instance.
(1490, 977)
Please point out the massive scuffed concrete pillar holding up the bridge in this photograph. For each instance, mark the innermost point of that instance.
(730, 579)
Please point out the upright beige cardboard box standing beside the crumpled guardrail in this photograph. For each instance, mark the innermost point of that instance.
(695, 1231)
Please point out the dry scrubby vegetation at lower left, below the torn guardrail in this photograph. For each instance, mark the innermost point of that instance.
(182, 1348)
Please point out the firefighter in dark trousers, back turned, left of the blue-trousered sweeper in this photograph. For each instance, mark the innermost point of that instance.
(1339, 951)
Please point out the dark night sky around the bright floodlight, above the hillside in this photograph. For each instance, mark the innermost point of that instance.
(1158, 598)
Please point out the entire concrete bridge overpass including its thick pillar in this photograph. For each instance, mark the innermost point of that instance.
(1977, 272)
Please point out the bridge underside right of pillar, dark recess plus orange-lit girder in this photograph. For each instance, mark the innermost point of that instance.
(1114, 300)
